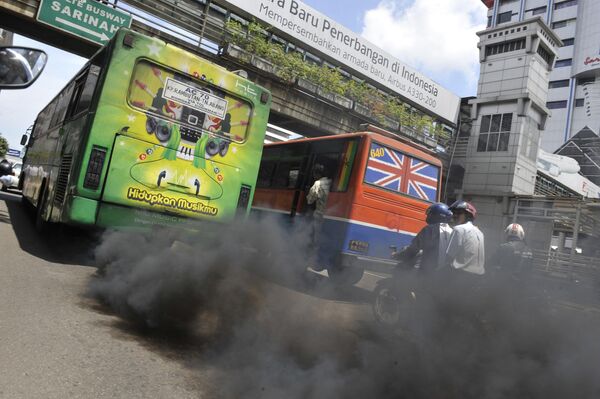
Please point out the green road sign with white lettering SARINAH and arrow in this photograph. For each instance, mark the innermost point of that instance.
(88, 19)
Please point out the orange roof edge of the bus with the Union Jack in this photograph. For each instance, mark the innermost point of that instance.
(403, 145)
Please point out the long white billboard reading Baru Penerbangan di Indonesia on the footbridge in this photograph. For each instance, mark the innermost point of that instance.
(329, 38)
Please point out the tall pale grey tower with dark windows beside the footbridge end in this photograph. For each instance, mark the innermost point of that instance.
(510, 111)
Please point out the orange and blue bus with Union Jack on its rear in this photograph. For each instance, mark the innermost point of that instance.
(380, 189)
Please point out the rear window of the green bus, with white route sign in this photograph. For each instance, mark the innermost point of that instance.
(196, 104)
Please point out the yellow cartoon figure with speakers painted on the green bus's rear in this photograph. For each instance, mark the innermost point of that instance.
(189, 120)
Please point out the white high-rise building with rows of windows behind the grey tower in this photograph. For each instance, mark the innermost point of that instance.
(574, 84)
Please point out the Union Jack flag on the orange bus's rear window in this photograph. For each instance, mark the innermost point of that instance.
(398, 172)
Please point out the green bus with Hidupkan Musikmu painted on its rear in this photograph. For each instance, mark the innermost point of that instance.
(146, 134)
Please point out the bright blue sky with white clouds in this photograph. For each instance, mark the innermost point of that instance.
(435, 37)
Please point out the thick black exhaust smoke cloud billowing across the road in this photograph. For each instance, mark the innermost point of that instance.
(275, 330)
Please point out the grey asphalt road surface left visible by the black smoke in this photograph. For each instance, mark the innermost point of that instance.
(56, 342)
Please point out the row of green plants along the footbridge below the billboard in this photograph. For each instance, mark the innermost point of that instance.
(254, 38)
